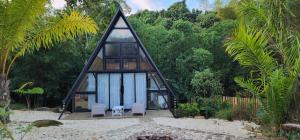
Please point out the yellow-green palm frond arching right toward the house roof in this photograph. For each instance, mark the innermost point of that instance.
(59, 29)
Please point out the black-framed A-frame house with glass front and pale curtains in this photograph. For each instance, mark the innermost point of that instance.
(120, 71)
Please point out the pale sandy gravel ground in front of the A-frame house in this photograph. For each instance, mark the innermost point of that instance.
(130, 128)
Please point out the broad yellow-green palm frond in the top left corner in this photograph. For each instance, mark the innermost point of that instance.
(20, 16)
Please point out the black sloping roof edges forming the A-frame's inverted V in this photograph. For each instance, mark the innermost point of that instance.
(86, 67)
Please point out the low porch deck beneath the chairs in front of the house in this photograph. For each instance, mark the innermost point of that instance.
(108, 115)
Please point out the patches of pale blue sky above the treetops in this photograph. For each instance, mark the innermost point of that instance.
(155, 5)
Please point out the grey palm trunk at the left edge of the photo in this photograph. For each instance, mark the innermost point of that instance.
(4, 97)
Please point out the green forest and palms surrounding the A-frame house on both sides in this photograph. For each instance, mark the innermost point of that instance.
(241, 48)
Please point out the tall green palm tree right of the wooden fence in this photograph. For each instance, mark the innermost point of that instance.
(266, 42)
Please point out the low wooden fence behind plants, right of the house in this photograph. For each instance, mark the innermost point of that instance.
(239, 101)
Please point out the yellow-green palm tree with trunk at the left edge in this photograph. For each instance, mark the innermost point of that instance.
(26, 26)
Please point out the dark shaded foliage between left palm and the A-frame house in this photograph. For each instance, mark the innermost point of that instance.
(62, 64)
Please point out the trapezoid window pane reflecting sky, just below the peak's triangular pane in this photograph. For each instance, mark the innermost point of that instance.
(123, 35)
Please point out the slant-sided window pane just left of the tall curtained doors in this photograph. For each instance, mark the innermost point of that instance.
(87, 84)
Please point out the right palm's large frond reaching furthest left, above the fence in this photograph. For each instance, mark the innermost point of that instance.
(248, 47)
